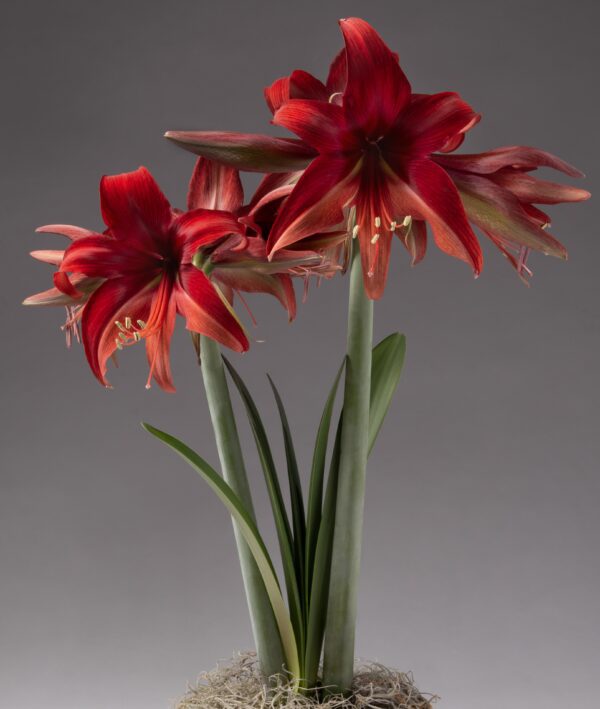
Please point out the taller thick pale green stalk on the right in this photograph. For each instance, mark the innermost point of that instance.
(338, 664)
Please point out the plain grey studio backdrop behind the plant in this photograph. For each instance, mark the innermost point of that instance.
(119, 579)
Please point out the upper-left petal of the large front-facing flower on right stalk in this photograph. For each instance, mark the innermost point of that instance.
(321, 125)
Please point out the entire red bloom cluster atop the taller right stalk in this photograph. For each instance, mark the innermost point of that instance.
(368, 142)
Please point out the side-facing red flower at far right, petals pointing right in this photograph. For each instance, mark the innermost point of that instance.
(499, 192)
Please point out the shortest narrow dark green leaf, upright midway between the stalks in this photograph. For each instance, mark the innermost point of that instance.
(298, 518)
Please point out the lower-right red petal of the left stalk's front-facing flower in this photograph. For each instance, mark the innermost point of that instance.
(206, 312)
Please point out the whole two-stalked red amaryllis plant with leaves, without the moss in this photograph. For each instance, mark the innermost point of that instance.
(370, 160)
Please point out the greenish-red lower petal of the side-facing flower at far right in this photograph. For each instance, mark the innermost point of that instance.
(496, 210)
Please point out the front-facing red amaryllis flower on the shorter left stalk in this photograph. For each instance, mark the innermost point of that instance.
(144, 263)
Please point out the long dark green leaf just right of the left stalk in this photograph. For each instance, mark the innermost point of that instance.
(282, 525)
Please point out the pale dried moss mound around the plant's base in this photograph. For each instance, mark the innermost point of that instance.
(239, 685)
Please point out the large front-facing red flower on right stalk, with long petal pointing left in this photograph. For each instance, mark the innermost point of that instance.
(373, 141)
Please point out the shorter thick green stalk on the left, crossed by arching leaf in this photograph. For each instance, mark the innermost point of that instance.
(264, 627)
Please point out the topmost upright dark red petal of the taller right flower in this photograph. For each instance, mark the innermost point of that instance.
(377, 90)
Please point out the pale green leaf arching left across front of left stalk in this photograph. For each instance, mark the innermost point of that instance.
(251, 536)
